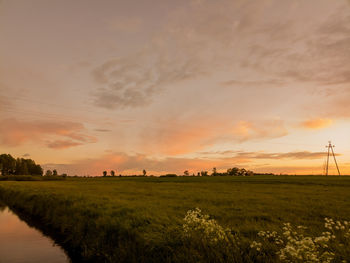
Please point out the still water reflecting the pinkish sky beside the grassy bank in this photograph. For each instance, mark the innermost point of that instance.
(20, 243)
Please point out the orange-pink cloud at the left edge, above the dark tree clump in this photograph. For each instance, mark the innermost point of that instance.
(14, 133)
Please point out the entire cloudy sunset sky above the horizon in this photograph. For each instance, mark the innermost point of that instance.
(169, 86)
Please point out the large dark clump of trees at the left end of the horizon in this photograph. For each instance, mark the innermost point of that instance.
(19, 166)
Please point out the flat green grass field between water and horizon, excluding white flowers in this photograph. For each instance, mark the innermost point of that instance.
(140, 219)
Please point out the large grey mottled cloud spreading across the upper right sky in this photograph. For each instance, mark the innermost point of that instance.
(250, 40)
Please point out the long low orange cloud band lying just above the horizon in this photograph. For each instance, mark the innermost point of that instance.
(134, 164)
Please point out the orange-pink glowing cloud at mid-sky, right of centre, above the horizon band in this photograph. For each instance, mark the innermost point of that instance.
(185, 136)
